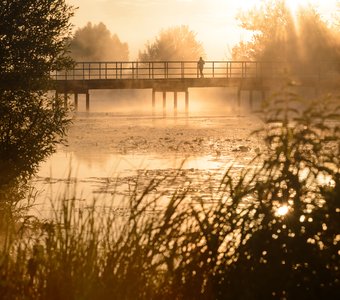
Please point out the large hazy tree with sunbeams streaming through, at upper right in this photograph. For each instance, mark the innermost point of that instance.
(304, 38)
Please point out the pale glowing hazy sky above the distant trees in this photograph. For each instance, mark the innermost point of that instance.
(139, 21)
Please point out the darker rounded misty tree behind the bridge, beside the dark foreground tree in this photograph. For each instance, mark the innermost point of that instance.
(96, 43)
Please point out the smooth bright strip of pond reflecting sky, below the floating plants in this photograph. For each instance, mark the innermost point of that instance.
(67, 164)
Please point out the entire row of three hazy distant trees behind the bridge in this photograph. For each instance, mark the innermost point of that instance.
(278, 34)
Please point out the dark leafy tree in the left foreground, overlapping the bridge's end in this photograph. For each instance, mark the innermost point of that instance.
(33, 42)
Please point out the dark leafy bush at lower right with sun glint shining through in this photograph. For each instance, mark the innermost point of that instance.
(298, 252)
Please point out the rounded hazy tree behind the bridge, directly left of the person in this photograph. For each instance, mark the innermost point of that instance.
(175, 43)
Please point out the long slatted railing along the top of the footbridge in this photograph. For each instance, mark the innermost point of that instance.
(188, 69)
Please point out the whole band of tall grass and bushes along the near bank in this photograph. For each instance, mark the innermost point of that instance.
(238, 247)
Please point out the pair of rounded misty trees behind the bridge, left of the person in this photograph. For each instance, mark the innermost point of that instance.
(97, 43)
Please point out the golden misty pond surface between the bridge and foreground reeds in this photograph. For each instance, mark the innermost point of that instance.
(120, 140)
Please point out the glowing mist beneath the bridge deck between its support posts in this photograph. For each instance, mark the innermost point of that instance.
(202, 101)
